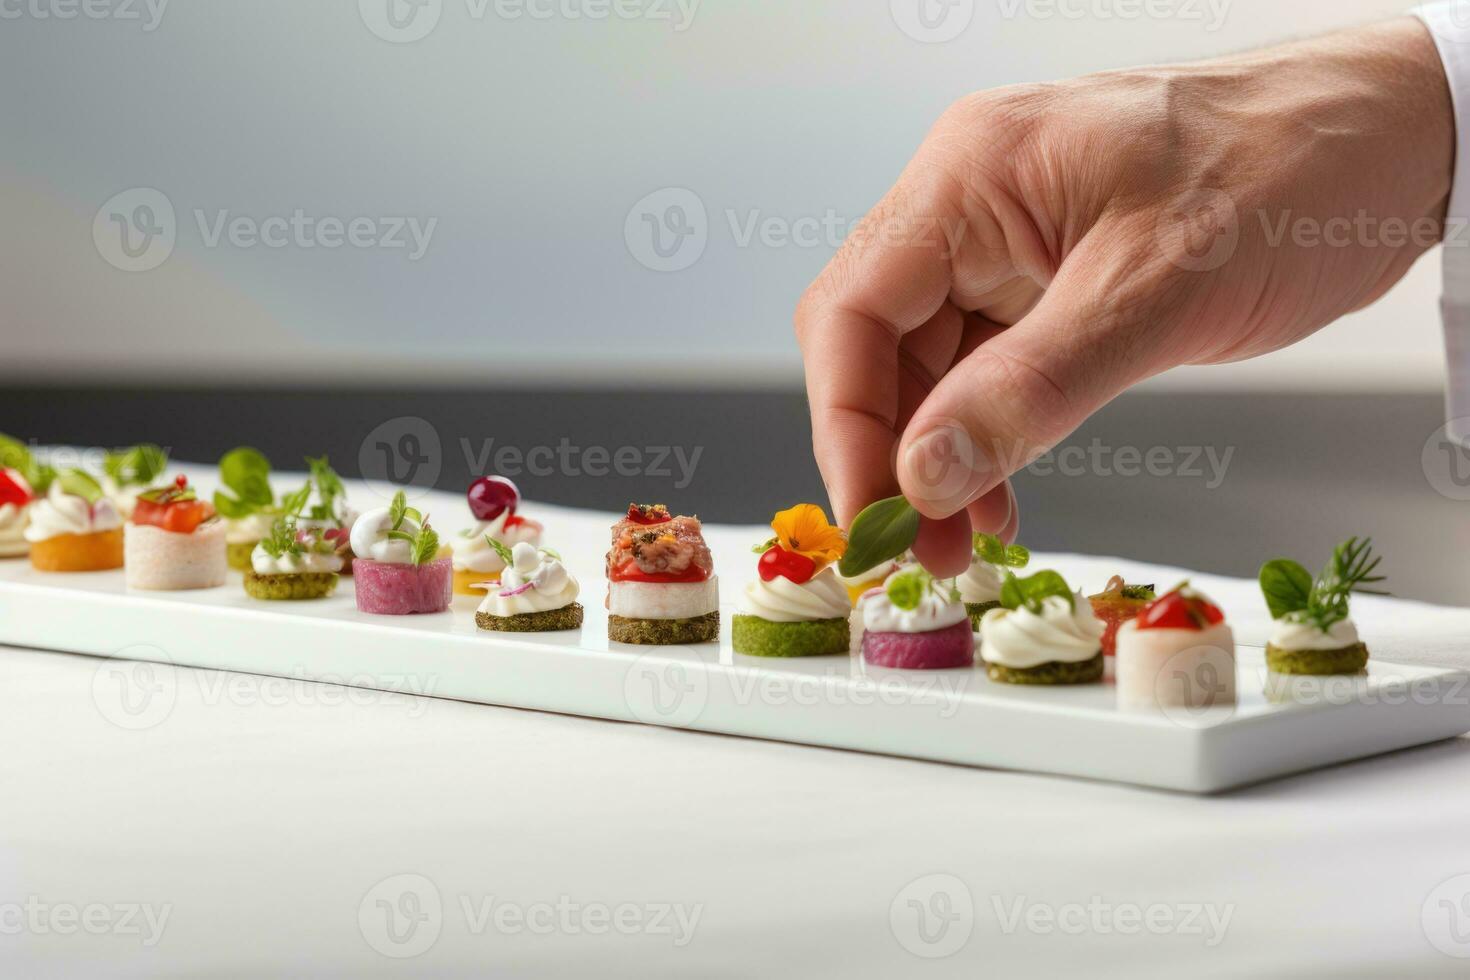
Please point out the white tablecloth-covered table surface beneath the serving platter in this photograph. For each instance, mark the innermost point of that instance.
(261, 822)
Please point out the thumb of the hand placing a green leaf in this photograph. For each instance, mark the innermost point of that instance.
(1022, 392)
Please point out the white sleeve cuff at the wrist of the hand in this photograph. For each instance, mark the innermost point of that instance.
(1449, 23)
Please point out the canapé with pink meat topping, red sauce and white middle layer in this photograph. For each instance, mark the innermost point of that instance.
(661, 581)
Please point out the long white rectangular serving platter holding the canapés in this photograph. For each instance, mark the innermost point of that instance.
(956, 716)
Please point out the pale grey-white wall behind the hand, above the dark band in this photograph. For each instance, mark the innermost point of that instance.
(528, 140)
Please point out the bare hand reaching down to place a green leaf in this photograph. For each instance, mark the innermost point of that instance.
(1052, 246)
